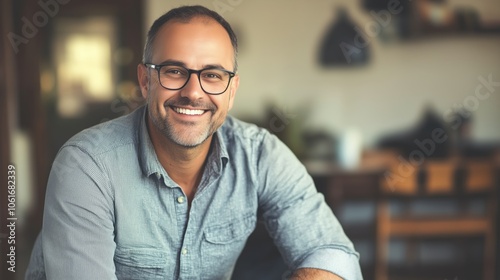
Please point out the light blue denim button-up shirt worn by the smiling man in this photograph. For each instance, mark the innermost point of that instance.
(112, 211)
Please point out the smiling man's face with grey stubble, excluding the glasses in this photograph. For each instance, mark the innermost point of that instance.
(188, 116)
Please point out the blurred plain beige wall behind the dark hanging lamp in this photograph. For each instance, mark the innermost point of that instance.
(277, 63)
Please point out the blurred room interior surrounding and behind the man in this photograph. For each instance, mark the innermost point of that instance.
(392, 105)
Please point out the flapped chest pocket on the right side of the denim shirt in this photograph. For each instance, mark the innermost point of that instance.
(222, 244)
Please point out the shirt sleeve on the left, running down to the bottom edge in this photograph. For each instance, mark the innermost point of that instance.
(77, 233)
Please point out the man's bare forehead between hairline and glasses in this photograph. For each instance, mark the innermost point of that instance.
(195, 42)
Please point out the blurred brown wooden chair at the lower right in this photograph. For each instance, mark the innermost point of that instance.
(453, 179)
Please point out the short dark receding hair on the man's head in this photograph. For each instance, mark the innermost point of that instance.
(185, 14)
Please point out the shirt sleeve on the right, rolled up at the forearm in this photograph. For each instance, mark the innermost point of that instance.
(301, 224)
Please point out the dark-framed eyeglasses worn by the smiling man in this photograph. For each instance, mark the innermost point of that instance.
(174, 77)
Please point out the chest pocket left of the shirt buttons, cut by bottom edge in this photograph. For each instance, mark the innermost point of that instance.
(140, 263)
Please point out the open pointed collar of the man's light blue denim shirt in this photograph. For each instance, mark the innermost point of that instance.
(217, 158)
